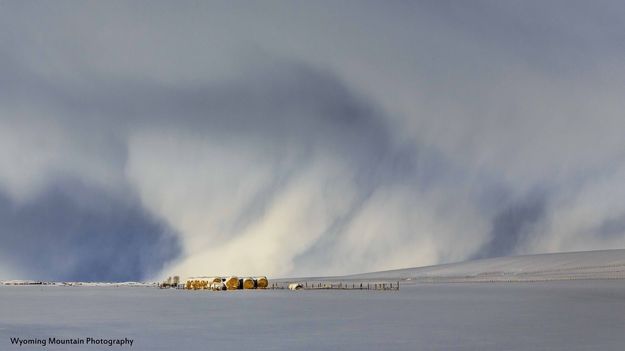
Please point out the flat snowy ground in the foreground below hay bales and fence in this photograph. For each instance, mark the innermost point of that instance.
(573, 315)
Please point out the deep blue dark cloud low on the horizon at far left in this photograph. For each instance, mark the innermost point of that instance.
(74, 232)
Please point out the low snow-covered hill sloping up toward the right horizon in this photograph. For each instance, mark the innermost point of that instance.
(606, 264)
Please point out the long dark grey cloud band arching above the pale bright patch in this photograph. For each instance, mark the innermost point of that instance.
(278, 101)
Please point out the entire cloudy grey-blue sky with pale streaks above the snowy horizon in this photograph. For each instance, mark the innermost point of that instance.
(141, 139)
